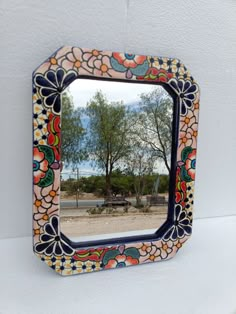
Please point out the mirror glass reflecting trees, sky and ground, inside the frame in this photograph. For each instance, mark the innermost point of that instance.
(116, 157)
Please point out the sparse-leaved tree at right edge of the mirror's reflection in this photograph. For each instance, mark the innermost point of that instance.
(154, 123)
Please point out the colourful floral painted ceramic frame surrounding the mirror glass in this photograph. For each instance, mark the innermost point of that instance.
(49, 80)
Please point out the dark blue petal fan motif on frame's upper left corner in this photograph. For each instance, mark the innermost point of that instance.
(51, 84)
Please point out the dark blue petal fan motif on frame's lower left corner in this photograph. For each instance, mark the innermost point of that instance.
(50, 241)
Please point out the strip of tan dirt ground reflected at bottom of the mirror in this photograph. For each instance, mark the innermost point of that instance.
(74, 226)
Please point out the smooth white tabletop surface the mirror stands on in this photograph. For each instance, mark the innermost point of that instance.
(200, 279)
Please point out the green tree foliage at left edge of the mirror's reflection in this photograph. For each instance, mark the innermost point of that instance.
(71, 131)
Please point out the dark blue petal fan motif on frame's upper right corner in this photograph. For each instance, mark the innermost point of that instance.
(187, 91)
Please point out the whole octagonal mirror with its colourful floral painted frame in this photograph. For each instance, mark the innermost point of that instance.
(114, 159)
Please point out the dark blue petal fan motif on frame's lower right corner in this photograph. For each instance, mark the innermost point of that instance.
(182, 225)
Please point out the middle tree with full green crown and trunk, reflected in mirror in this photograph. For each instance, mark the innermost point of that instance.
(108, 138)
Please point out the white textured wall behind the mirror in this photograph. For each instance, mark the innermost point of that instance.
(201, 33)
